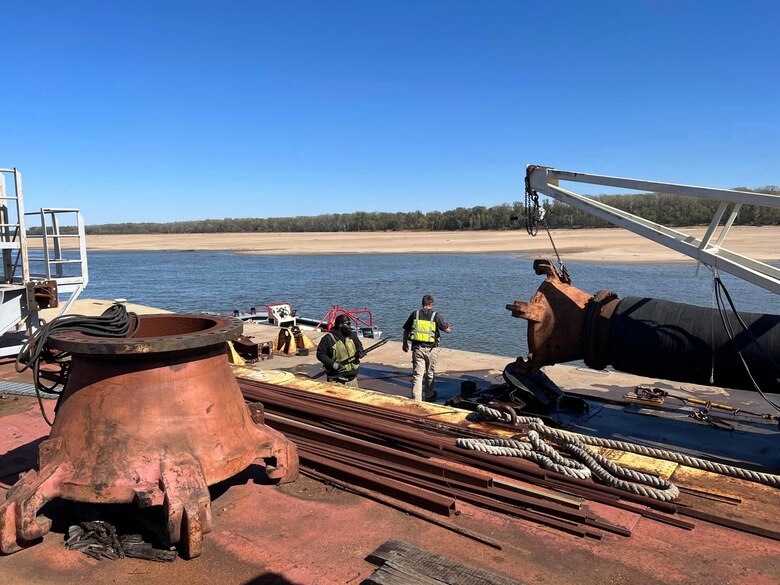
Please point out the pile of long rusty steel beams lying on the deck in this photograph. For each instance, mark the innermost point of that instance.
(414, 459)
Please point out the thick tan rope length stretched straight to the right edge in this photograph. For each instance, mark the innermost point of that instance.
(557, 435)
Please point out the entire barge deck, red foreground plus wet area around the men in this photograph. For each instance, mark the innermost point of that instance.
(310, 532)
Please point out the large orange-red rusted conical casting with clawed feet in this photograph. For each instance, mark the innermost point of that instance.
(151, 420)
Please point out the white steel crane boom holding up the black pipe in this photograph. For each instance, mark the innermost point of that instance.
(712, 253)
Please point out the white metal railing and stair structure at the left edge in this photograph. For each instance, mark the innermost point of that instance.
(39, 265)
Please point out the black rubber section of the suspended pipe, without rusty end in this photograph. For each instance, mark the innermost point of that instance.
(658, 338)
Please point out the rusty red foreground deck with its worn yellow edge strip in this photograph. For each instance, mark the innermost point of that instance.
(311, 533)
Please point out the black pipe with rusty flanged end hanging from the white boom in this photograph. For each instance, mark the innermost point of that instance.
(647, 337)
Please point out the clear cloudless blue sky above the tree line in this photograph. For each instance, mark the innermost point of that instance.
(163, 111)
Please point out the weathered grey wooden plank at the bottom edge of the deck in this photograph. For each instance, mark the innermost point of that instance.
(407, 558)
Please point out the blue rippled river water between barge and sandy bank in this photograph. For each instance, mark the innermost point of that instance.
(471, 290)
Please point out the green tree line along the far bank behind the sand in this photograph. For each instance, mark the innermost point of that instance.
(662, 208)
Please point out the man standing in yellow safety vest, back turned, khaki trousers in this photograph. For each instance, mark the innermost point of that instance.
(423, 328)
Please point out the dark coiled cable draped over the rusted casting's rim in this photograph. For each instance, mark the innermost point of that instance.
(115, 321)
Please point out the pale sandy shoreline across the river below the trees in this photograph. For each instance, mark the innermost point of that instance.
(591, 245)
